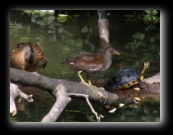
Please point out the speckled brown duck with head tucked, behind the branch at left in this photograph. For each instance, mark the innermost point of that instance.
(28, 56)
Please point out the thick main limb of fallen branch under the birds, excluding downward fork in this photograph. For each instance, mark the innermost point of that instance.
(49, 84)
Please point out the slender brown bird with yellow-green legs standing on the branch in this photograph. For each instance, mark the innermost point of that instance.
(92, 63)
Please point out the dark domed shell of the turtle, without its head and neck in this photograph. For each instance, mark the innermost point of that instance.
(124, 78)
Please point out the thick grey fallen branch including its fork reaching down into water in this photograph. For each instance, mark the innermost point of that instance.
(59, 89)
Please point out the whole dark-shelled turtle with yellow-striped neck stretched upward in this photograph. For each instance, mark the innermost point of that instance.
(127, 77)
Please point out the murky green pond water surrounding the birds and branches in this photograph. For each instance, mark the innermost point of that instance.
(59, 47)
